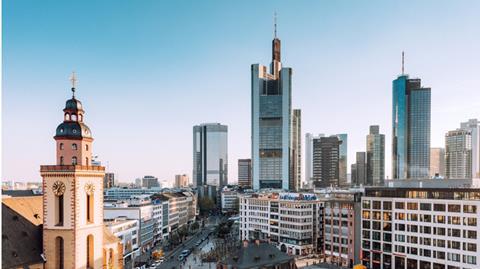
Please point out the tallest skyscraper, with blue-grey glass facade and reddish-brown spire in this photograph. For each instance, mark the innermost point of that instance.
(271, 123)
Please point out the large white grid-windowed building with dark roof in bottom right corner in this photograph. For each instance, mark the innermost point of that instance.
(416, 228)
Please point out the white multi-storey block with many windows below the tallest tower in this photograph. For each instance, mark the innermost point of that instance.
(290, 221)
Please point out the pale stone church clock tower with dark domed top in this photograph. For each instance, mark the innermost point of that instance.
(73, 196)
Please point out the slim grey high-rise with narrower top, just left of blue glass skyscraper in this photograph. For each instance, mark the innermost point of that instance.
(375, 157)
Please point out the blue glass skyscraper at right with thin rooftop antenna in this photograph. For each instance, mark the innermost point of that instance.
(411, 129)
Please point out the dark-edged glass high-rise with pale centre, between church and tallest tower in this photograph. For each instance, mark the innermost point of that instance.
(210, 155)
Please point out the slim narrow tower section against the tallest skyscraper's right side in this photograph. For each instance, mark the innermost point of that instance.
(296, 150)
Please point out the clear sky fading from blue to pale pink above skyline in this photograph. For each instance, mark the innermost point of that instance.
(148, 71)
